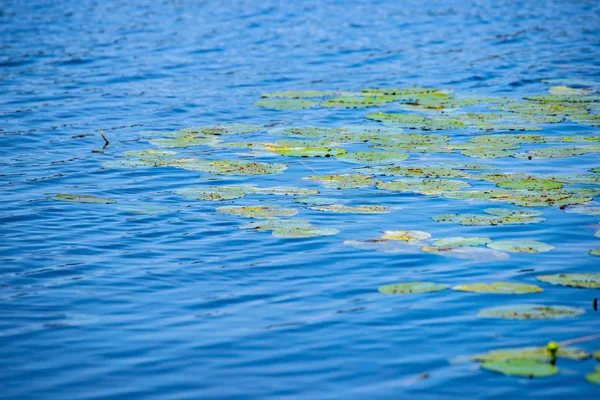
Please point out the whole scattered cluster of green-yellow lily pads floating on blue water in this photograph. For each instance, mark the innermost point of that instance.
(407, 127)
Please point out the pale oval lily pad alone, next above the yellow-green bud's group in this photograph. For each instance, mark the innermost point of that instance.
(531, 311)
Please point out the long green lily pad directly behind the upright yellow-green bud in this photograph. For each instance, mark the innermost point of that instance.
(531, 353)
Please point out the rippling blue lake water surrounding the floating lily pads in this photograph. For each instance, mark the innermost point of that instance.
(99, 303)
